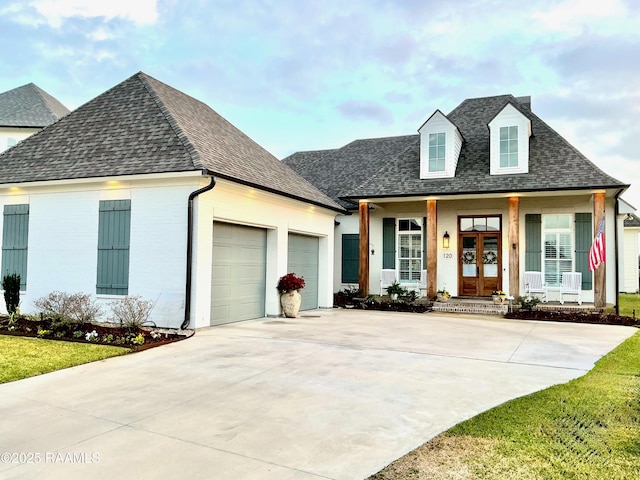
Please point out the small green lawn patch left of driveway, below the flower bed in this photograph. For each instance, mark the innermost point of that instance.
(22, 357)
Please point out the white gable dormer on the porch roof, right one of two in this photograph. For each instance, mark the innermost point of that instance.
(509, 130)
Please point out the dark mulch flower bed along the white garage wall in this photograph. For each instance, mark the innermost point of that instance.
(137, 339)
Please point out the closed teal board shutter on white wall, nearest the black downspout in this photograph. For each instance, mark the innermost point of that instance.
(114, 225)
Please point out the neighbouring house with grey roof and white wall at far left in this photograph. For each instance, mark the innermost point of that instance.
(24, 111)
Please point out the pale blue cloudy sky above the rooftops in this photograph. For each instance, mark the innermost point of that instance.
(308, 75)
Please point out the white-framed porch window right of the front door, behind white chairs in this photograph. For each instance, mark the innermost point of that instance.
(558, 248)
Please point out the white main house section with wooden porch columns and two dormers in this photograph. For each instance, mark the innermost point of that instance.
(475, 199)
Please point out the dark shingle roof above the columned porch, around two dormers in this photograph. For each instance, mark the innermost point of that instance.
(375, 170)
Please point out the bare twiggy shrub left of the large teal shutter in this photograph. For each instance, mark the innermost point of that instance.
(68, 310)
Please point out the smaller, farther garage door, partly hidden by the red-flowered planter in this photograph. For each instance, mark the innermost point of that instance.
(303, 261)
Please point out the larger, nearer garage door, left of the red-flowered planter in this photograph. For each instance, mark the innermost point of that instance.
(238, 273)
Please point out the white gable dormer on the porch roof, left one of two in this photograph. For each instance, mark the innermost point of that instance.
(440, 144)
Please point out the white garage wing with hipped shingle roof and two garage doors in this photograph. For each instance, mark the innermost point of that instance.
(146, 191)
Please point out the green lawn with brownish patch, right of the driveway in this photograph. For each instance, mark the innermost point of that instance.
(587, 428)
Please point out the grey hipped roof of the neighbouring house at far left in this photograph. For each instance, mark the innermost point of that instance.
(29, 106)
